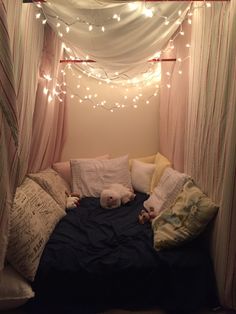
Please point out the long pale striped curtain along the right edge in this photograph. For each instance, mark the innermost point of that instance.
(210, 151)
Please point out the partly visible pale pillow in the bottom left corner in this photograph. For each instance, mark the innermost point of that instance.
(14, 289)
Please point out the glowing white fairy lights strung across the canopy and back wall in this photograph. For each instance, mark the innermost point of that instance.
(58, 91)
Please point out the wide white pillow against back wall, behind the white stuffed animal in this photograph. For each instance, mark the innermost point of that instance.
(91, 176)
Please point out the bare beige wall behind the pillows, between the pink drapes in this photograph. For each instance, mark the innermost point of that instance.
(92, 132)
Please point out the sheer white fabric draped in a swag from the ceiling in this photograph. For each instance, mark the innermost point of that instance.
(124, 46)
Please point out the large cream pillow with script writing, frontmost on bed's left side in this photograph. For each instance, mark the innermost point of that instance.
(33, 217)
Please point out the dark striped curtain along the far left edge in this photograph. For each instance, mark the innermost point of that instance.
(9, 135)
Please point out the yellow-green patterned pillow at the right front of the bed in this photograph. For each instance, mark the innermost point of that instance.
(185, 219)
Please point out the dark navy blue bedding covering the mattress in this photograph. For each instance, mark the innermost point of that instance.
(104, 257)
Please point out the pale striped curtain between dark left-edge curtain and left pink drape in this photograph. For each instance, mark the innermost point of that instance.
(26, 48)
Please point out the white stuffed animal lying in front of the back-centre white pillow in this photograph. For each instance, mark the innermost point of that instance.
(115, 195)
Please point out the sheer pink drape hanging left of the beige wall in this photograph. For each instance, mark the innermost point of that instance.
(49, 115)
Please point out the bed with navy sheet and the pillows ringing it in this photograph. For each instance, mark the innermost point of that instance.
(88, 259)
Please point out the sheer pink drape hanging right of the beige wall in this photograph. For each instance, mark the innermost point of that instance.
(174, 100)
